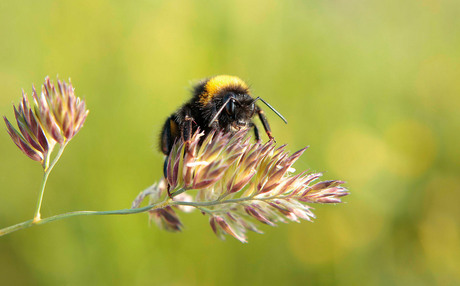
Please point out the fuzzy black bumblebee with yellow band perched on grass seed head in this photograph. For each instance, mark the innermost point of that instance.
(221, 102)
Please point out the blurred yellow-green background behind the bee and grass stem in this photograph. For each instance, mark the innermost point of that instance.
(372, 86)
